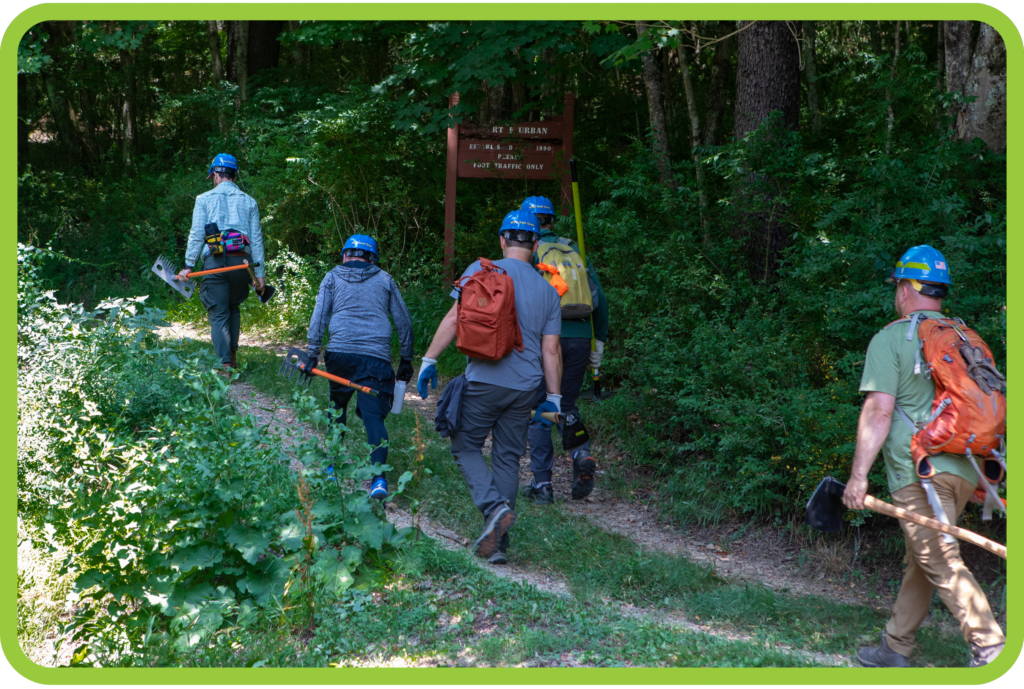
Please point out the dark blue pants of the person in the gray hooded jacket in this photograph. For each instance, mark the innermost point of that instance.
(372, 373)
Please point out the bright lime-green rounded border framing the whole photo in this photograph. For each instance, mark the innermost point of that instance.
(550, 11)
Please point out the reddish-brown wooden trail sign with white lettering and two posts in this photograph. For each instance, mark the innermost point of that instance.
(526, 151)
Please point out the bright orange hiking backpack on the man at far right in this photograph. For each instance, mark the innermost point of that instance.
(969, 413)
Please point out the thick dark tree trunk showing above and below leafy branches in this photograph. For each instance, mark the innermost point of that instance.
(767, 80)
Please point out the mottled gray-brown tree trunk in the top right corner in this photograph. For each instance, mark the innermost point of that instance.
(978, 68)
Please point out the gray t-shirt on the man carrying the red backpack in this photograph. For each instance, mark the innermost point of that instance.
(540, 313)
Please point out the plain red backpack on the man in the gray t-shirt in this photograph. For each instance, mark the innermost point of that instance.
(487, 324)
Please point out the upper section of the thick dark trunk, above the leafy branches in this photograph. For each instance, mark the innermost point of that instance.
(767, 76)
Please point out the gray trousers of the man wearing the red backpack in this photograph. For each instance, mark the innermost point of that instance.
(492, 409)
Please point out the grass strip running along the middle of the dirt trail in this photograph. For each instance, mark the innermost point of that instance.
(604, 570)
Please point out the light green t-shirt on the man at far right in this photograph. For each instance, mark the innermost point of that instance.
(889, 369)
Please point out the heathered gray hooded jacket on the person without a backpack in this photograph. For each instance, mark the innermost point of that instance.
(355, 300)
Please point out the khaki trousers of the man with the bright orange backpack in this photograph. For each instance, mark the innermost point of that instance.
(934, 565)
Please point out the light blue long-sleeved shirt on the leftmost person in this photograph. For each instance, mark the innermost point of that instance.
(231, 208)
